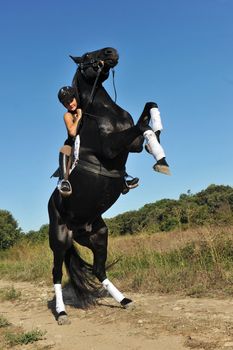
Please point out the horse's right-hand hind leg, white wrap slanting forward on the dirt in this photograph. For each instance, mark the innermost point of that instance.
(99, 243)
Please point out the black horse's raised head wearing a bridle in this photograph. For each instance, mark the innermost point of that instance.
(92, 62)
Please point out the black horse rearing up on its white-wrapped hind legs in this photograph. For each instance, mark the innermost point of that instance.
(107, 135)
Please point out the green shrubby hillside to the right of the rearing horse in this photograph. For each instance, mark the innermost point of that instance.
(214, 205)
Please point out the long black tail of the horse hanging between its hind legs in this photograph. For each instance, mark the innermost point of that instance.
(81, 278)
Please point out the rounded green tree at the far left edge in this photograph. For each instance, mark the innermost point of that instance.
(9, 230)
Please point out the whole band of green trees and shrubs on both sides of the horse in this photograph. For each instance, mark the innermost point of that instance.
(213, 205)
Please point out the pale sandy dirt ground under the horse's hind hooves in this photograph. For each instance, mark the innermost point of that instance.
(155, 322)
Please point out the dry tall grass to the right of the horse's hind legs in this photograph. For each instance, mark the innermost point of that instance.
(193, 262)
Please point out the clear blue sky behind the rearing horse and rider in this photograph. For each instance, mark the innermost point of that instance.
(178, 53)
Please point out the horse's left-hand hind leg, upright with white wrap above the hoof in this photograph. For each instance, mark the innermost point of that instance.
(60, 239)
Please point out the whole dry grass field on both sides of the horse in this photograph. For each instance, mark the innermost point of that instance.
(192, 262)
